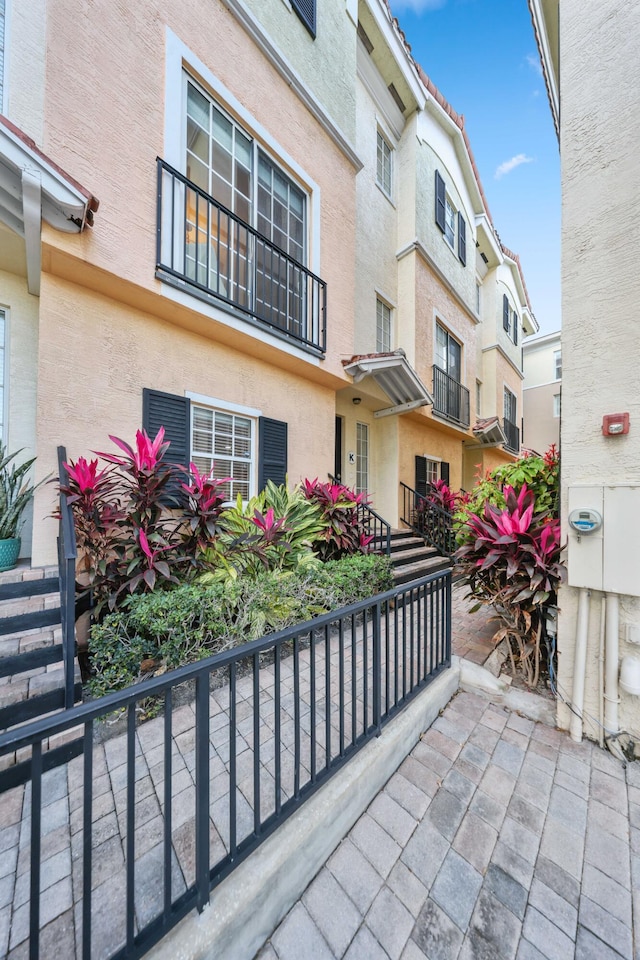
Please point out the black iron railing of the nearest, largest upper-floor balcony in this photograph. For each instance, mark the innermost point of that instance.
(203, 245)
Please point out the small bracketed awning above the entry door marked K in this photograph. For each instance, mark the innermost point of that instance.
(395, 376)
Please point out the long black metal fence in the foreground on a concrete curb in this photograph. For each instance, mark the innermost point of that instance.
(158, 812)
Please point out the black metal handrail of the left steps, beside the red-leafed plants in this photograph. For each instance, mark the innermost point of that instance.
(67, 556)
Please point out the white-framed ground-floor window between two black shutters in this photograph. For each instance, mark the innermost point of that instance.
(224, 443)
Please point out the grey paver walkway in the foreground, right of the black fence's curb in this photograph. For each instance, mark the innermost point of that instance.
(496, 838)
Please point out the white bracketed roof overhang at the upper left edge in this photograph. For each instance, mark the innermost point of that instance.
(33, 189)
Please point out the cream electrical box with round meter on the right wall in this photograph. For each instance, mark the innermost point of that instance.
(608, 557)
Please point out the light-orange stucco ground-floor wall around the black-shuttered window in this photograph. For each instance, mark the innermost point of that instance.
(96, 355)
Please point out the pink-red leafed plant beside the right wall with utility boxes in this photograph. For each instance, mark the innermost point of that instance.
(511, 559)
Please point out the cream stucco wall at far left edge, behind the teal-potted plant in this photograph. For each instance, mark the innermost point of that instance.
(21, 344)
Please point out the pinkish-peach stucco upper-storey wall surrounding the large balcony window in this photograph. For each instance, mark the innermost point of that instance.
(109, 137)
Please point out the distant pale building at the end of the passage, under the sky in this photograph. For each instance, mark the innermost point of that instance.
(542, 391)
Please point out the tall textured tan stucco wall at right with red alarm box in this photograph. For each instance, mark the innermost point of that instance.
(600, 48)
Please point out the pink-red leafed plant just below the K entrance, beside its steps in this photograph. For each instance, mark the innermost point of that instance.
(342, 534)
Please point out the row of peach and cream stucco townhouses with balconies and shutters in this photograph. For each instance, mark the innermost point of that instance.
(258, 224)
